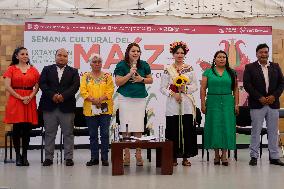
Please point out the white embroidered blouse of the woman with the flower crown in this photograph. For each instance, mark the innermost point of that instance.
(172, 107)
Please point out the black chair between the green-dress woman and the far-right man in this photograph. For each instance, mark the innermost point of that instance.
(243, 120)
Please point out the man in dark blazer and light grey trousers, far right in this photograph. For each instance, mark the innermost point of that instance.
(263, 80)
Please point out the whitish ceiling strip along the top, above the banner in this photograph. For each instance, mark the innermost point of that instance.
(179, 8)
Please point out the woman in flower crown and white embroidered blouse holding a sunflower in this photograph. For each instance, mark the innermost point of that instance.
(180, 107)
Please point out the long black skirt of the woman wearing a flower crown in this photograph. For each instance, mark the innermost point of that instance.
(185, 149)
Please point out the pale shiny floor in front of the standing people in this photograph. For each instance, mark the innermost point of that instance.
(201, 175)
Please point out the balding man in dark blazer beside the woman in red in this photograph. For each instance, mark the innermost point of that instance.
(59, 84)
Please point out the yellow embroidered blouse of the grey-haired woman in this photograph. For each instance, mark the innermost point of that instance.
(91, 87)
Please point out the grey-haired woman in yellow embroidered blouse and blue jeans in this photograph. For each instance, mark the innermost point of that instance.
(97, 89)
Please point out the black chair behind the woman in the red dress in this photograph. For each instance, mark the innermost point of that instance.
(36, 130)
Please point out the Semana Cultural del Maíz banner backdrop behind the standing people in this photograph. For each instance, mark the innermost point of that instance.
(110, 41)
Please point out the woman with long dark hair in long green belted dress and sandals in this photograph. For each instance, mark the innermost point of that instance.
(220, 107)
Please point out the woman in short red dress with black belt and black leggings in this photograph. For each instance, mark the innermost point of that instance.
(21, 81)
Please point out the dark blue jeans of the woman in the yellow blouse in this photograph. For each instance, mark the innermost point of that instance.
(93, 123)
